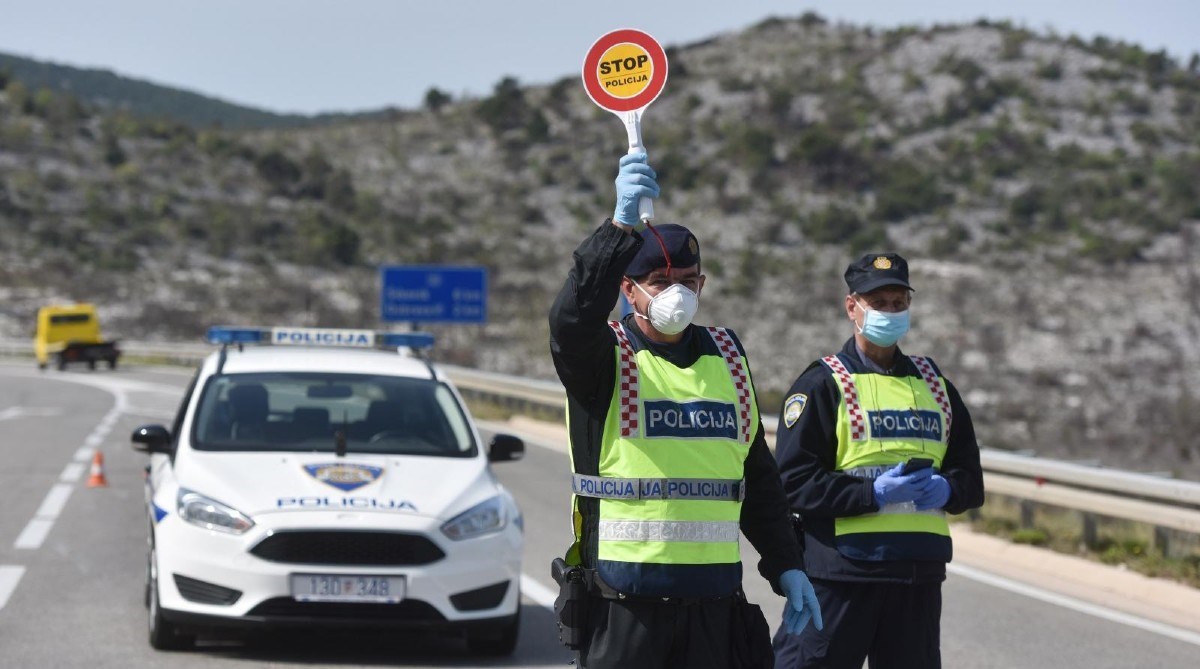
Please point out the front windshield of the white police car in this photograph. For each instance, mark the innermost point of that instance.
(311, 412)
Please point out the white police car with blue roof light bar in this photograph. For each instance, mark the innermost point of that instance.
(314, 480)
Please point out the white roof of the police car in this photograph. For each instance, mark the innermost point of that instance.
(313, 359)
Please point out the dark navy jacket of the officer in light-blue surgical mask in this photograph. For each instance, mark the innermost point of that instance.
(807, 454)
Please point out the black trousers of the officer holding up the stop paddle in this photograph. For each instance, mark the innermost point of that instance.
(646, 635)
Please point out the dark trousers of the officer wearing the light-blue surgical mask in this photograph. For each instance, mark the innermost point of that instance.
(891, 625)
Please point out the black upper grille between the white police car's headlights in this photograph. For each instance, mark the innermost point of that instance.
(349, 549)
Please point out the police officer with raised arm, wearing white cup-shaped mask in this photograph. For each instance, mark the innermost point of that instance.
(668, 454)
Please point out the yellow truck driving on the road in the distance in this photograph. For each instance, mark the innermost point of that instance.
(71, 334)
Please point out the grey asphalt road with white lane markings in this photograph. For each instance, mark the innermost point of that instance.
(73, 558)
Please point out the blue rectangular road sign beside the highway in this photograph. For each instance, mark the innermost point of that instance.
(433, 293)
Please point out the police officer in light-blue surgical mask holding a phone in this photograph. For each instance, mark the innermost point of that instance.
(875, 449)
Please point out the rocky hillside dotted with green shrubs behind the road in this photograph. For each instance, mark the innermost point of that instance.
(1043, 188)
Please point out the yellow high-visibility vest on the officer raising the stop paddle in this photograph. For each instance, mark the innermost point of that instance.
(670, 477)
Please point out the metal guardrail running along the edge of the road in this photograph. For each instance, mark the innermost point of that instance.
(1167, 504)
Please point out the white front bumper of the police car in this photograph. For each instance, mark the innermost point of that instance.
(476, 583)
